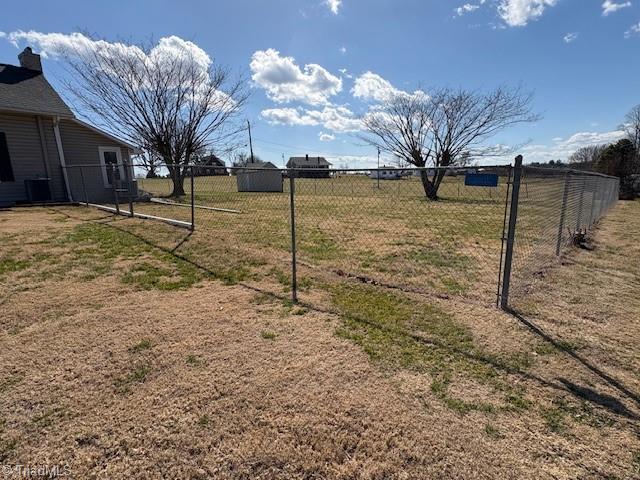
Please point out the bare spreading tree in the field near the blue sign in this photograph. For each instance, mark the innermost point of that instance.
(446, 128)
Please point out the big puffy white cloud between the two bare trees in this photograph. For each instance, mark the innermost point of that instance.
(284, 81)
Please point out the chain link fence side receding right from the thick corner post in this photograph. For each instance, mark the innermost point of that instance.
(549, 210)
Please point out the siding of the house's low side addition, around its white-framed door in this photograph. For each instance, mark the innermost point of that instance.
(81, 147)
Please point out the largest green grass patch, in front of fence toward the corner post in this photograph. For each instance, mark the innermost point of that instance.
(399, 332)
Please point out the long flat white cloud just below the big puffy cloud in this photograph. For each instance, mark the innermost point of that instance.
(336, 119)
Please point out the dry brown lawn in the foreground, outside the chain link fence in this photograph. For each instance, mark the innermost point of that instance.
(124, 361)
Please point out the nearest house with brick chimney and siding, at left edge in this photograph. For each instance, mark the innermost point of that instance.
(40, 137)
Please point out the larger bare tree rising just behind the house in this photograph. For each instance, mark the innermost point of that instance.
(172, 103)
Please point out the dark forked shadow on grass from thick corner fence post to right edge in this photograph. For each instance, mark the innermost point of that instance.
(606, 401)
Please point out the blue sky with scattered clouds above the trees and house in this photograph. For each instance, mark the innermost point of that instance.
(580, 57)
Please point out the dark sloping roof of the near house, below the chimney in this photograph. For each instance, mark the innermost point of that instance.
(27, 91)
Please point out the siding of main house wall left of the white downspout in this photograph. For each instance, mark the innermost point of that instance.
(27, 159)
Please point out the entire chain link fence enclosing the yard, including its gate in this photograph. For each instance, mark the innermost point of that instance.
(302, 229)
